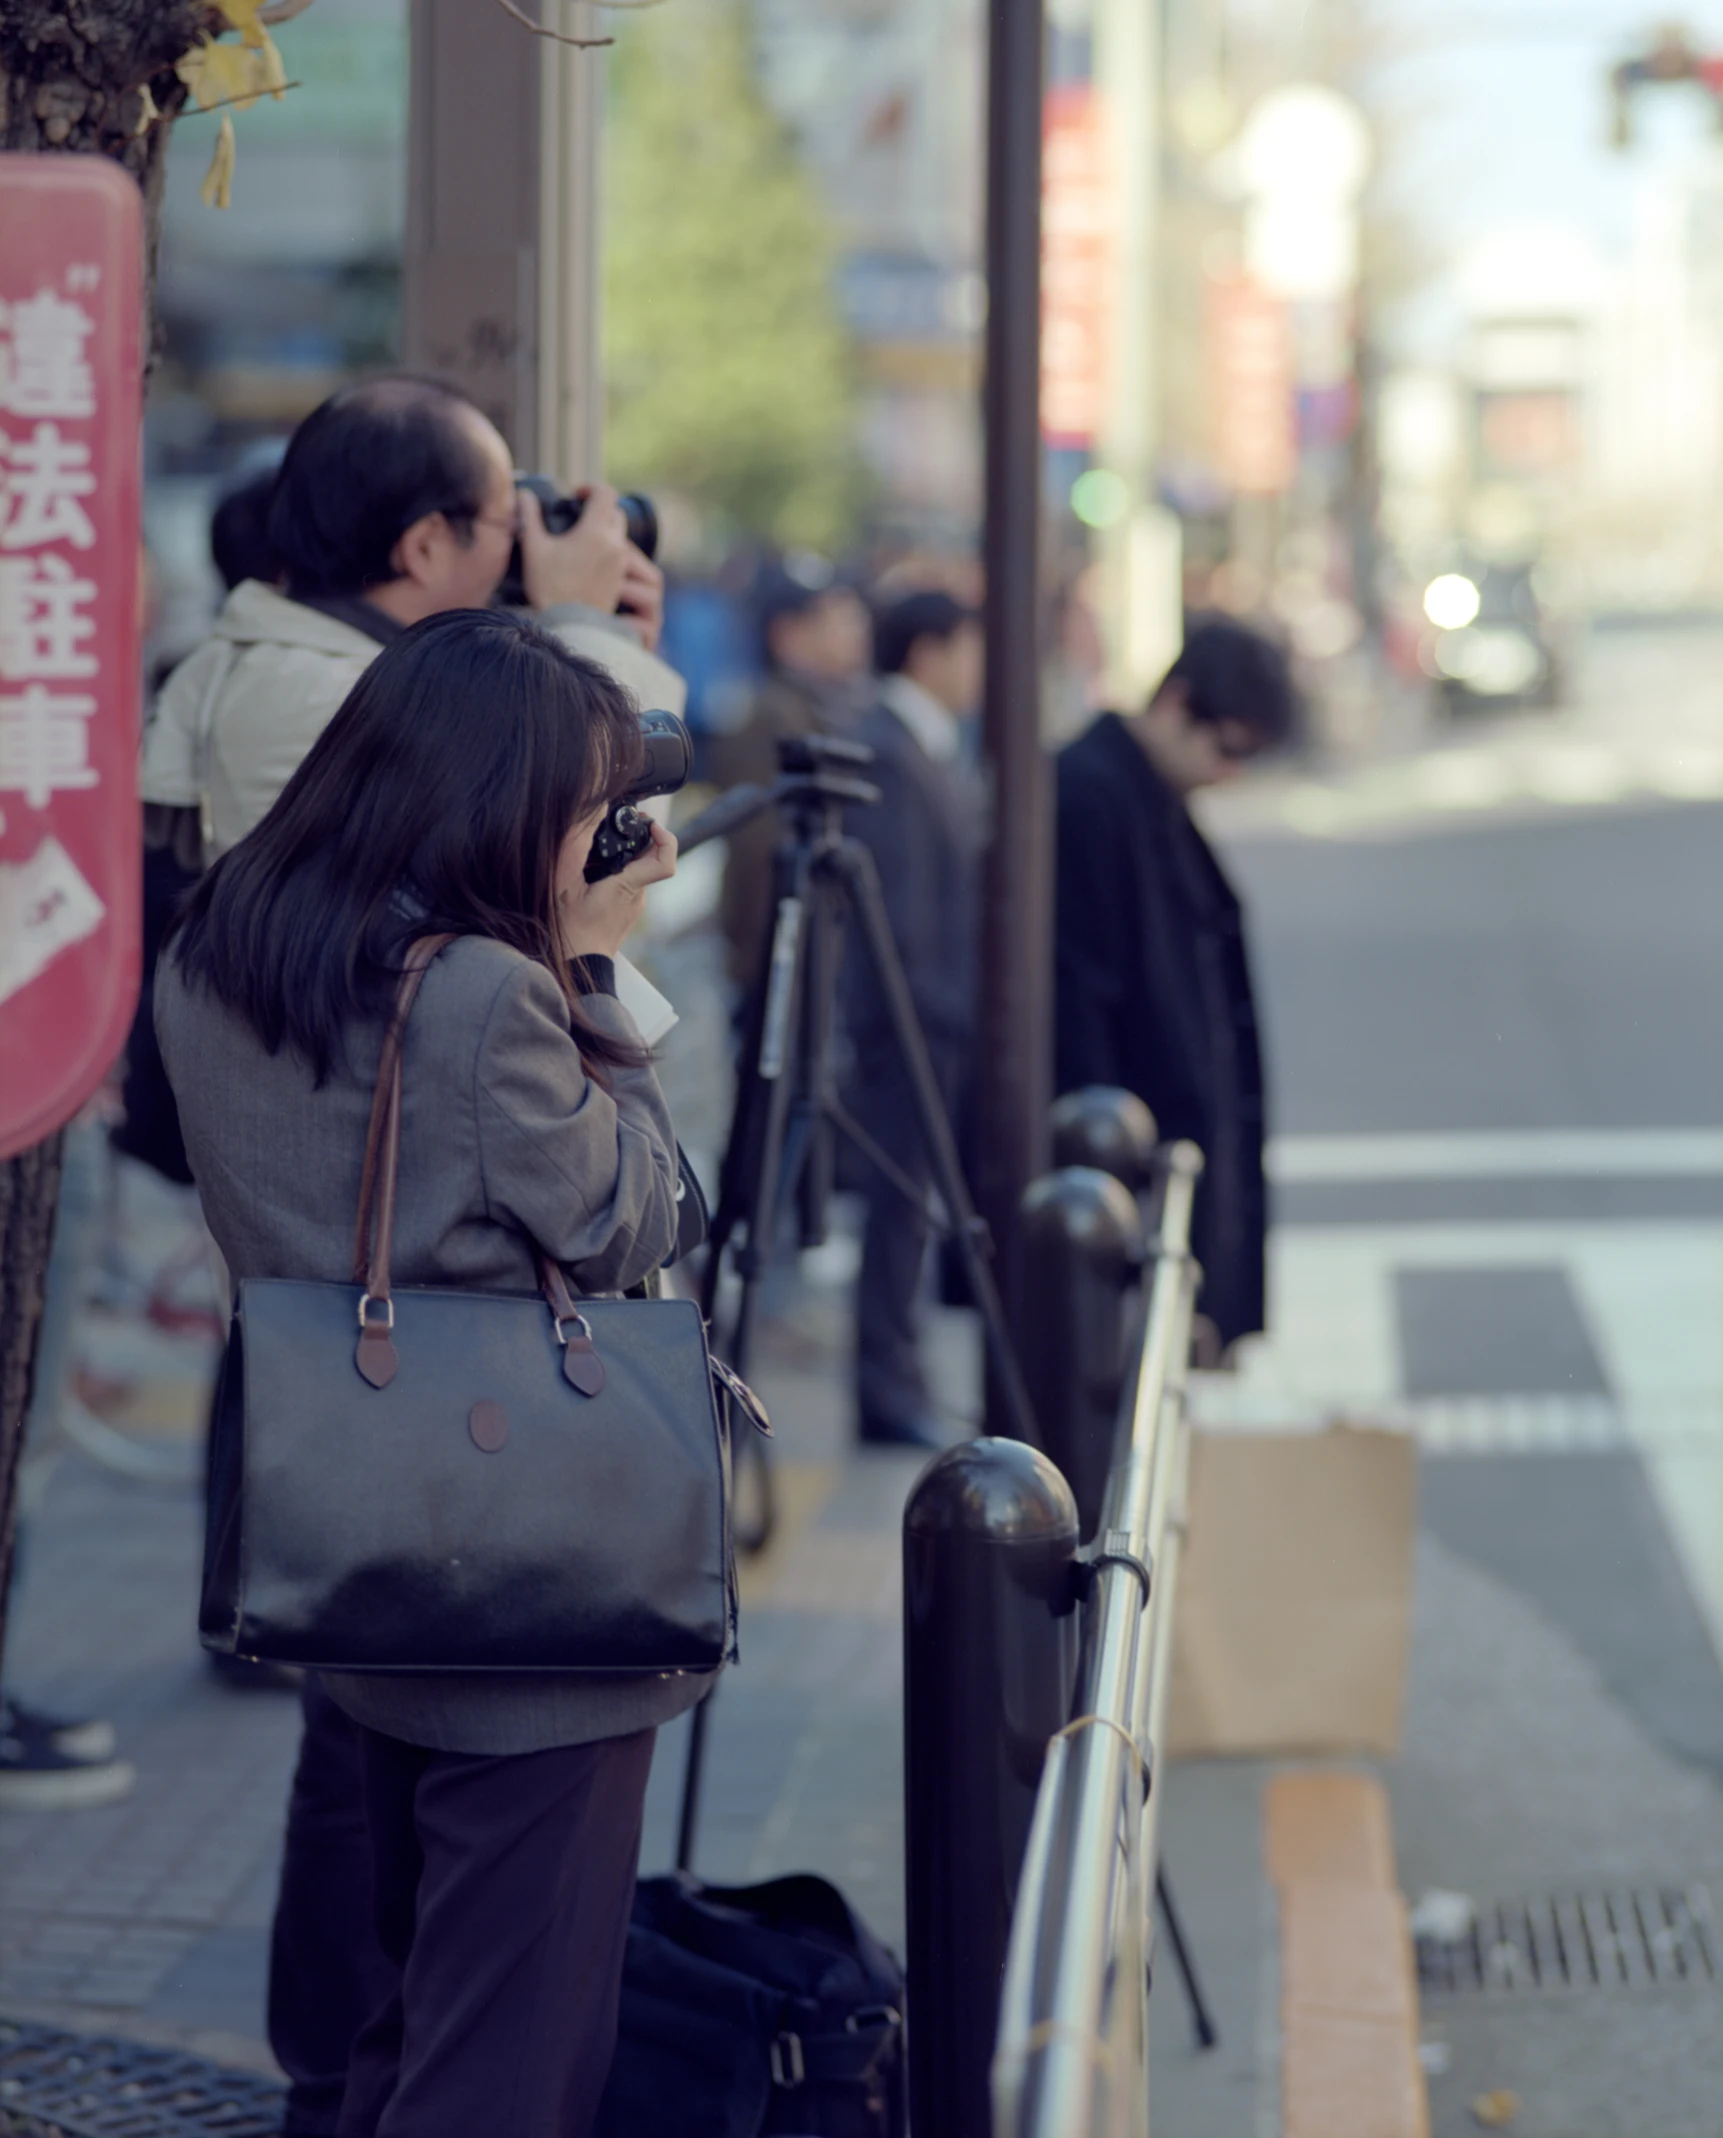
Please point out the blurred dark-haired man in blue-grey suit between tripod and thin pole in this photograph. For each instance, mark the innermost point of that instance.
(927, 843)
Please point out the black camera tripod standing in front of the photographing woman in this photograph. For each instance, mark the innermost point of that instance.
(788, 1106)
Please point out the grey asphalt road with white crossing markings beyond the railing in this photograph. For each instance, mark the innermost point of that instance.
(1495, 1042)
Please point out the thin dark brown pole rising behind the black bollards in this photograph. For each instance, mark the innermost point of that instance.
(1014, 1057)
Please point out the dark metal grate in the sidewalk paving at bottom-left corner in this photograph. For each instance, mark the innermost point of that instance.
(78, 2086)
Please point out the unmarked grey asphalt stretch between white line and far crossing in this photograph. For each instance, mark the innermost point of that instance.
(1523, 974)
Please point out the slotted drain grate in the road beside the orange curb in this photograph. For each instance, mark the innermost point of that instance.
(1615, 1940)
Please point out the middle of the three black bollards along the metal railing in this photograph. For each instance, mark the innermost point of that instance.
(1083, 1256)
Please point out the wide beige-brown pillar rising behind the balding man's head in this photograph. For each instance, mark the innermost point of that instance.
(501, 277)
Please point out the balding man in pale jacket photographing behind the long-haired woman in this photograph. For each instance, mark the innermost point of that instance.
(397, 501)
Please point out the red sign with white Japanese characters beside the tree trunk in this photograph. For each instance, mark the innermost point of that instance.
(72, 311)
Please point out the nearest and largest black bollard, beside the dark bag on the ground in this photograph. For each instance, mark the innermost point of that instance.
(991, 1656)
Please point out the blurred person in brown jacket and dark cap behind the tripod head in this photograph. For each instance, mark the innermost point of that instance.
(813, 638)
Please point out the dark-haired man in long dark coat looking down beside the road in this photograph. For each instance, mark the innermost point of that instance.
(1153, 974)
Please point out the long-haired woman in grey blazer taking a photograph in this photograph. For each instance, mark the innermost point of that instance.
(456, 792)
